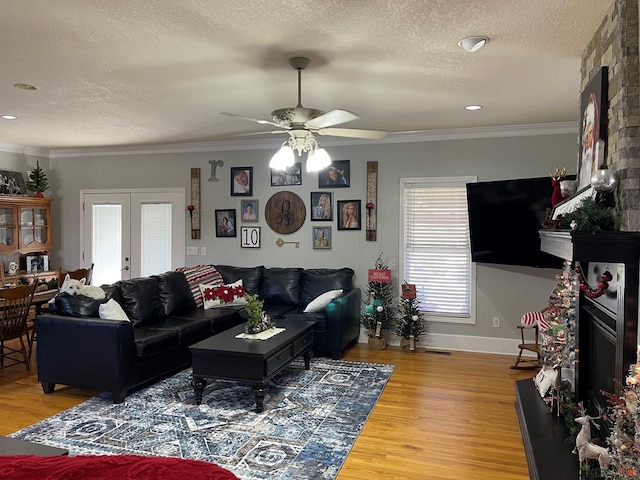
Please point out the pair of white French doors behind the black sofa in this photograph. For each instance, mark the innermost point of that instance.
(134, 233)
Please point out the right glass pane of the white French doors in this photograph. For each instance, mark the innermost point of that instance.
(155, 238)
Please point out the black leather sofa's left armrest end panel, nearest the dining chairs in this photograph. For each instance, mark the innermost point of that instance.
(85, 352)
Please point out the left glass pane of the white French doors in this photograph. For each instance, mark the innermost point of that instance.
(106, 243)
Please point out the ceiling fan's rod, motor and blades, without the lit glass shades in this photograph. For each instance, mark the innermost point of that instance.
(298, 121)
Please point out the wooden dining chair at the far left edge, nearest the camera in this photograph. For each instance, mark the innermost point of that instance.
(15, 304)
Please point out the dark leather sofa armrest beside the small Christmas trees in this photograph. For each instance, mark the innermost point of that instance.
(343, 320)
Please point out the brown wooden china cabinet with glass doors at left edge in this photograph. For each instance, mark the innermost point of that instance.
(25, 228)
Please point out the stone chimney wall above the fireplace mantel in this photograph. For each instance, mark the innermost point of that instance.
(615, 45)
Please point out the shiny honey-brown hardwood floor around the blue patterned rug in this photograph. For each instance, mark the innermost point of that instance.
(441, 416)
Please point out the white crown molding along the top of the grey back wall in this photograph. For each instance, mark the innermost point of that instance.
(272, 143)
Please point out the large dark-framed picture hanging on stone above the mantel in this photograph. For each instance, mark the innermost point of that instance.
(593, 127)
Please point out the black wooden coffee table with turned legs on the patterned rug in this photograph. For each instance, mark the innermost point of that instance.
(251, 361)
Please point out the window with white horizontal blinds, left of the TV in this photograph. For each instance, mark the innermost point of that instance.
(435, 251)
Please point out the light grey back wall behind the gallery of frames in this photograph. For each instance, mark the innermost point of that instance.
(506, 292)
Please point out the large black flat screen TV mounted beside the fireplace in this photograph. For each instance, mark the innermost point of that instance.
(504, 219)
